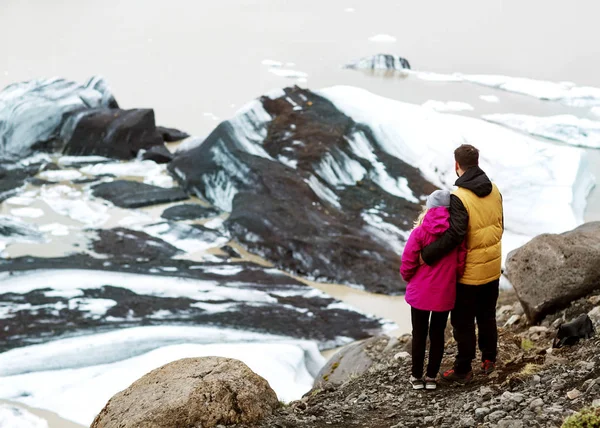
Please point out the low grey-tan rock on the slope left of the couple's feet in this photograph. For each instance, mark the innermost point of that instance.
(355, 360)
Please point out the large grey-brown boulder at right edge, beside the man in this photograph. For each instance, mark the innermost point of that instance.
(551, 271)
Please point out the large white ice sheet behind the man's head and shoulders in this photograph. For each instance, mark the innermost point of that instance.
(543, 178)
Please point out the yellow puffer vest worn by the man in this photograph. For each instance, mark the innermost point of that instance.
(484, 235)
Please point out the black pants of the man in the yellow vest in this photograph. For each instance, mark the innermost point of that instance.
(475, 302)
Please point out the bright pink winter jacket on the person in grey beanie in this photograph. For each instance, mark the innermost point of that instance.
(431, 288)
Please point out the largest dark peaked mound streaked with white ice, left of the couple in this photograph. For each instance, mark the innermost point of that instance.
(302, 192)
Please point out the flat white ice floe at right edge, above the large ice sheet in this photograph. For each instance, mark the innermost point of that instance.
(565, 128)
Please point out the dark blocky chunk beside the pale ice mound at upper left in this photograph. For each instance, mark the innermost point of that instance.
(112, 133)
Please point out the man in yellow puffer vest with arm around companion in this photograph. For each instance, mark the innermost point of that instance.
(476, 217)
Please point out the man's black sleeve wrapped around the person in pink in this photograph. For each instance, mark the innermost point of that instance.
(453, 237)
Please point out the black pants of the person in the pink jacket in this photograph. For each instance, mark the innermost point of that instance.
(421, 328)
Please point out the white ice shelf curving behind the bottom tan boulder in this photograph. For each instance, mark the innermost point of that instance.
(55, 375)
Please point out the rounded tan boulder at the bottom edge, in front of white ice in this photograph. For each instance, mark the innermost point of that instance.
(191, 392)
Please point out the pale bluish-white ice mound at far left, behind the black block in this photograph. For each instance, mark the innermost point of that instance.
(32, 113)
